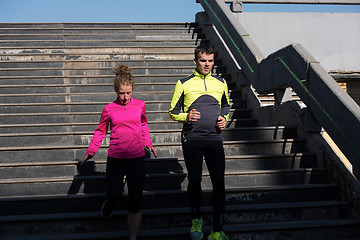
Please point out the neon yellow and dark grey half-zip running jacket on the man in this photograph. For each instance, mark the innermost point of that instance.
(209, 95)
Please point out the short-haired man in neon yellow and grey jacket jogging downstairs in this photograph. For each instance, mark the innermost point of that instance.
(201, 102)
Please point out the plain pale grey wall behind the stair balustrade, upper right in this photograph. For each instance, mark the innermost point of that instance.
(333, 39)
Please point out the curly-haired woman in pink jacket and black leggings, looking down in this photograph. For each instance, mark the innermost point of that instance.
(129, 136)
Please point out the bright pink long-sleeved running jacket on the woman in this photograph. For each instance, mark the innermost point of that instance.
(129, 130)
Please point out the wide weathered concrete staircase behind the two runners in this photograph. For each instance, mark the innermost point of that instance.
(54, 81)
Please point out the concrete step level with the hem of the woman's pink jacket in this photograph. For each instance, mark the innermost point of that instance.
(73, 152)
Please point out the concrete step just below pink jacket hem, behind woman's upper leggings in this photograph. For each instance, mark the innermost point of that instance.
(12, 169)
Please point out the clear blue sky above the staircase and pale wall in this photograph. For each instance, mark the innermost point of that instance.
(131, 10)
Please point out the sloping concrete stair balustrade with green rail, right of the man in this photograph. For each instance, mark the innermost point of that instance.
(292, 66)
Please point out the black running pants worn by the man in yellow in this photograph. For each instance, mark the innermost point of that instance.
(213, 152)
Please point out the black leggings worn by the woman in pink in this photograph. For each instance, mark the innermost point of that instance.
(134, 170)
